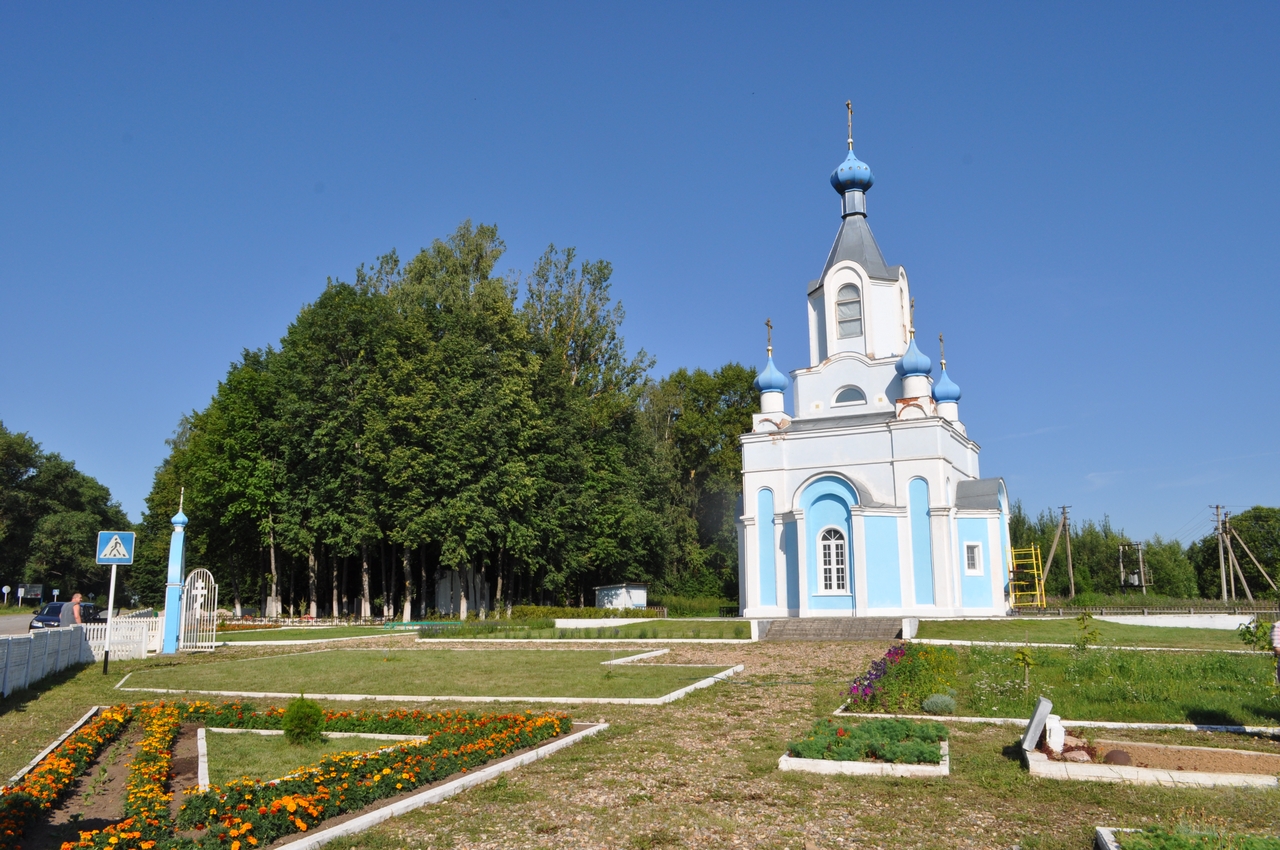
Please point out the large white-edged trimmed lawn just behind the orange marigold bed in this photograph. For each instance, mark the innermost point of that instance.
(502, 673)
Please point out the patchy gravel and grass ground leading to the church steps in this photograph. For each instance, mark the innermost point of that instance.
(702, 773)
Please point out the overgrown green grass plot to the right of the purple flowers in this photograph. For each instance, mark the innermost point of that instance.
(1117, 686)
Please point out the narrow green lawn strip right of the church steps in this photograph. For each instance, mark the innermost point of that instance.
(1066, 632)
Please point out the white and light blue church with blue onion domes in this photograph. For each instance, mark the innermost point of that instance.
(867, 501)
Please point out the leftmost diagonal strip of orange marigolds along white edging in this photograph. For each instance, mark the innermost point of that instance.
(48, 782)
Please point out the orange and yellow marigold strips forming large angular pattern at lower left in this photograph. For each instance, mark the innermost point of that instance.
(248, 814)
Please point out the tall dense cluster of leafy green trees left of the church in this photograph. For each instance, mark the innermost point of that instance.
(433, 437)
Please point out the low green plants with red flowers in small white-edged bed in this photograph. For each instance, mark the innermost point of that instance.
(888, 741)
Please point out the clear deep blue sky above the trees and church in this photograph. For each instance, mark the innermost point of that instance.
(1085, 198)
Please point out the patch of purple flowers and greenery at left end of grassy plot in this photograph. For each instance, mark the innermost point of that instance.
(902, 680)
